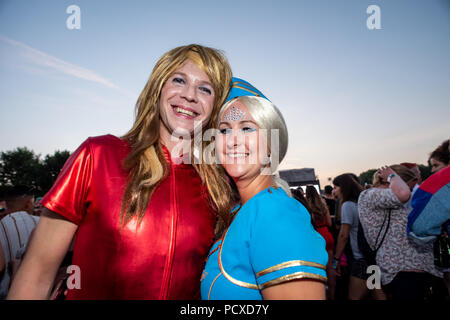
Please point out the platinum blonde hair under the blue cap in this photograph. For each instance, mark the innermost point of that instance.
(267, 116)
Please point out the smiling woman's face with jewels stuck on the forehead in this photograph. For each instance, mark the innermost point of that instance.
(238, 143)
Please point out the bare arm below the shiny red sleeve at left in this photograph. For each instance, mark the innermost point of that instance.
(51, 240)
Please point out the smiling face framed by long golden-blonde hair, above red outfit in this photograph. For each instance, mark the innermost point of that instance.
(186, 97)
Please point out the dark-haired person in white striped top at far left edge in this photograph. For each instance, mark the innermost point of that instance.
(15, 230)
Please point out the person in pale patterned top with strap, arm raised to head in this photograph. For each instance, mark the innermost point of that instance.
(407, 270)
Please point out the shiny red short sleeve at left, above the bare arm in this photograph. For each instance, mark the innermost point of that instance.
(68, 195)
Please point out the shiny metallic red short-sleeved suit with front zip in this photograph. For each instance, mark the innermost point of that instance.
(163, 257)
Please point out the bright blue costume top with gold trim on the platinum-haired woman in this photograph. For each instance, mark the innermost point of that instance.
(270, 241)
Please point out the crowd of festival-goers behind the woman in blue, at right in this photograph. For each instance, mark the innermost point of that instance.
(382, 214)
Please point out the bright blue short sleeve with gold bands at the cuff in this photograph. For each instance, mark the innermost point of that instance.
(284, 245)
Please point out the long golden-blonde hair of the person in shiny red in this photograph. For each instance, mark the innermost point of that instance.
(145, 163)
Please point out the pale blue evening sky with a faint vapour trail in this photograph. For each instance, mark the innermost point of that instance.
(353, 97)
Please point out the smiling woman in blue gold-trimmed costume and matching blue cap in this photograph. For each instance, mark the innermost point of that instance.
(269, 250)
